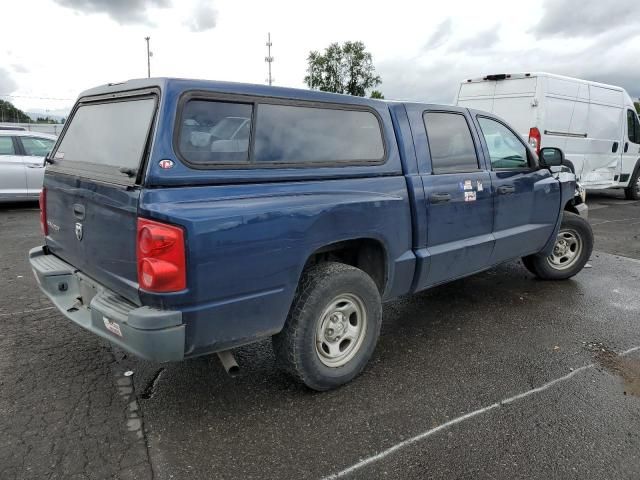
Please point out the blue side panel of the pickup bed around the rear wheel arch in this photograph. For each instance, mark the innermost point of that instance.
(247, 246)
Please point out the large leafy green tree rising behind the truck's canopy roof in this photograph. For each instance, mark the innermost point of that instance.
(346, 68)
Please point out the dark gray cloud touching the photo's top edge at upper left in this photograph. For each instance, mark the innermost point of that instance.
(122, 11)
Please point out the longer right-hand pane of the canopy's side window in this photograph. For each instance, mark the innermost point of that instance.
(303, 135)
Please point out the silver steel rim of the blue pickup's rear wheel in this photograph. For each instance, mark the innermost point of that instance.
(341, 330)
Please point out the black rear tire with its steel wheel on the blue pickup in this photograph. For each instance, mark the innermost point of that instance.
(320, 288)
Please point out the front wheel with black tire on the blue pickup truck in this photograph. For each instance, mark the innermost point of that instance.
(574, 231)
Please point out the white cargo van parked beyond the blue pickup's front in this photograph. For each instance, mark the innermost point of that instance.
(596, 125)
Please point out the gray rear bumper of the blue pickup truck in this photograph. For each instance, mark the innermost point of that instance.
(149, 333)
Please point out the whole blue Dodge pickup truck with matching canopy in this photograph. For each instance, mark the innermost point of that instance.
(184, 218)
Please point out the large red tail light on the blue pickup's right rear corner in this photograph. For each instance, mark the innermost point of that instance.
(161, 257)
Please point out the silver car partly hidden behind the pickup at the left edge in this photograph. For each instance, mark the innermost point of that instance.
(22, 156)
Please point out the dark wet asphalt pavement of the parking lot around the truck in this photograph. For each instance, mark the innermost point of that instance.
(494, 376)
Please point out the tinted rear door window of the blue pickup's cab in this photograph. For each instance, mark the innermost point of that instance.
(450, 143)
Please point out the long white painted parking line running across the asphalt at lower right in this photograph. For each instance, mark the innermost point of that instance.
(450, 423)
